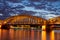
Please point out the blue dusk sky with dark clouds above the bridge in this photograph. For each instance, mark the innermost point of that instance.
(42, 8)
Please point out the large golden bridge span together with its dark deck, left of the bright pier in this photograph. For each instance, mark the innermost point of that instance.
(24, 20)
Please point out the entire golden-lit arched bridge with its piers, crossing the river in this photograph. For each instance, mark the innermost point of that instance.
(28, 21)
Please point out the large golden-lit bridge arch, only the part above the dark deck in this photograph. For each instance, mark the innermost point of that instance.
(25, 19)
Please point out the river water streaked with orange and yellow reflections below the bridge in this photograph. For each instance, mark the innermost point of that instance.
(12, 34)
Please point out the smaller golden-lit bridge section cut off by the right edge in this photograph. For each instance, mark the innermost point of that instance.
(54, 22)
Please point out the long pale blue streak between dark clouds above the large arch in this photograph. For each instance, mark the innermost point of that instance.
(36, 10)
